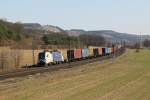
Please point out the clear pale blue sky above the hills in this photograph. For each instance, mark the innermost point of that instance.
(129, 16)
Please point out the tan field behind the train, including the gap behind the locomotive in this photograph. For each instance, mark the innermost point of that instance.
(25, 56)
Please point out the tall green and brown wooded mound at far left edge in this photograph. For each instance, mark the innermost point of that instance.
(11, 32)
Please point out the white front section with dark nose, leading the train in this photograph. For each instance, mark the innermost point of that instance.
(45, 58)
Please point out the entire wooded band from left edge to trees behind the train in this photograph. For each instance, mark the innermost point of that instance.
(18, 36)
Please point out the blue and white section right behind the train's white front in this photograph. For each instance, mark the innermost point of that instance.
(57, 57)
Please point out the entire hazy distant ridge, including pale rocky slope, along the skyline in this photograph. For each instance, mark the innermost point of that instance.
(109, 35)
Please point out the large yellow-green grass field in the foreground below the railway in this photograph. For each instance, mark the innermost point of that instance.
(125, 78)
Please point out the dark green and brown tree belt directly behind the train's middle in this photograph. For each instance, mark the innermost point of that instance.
(76, 41)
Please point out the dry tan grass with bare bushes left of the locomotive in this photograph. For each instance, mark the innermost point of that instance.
(14, 58)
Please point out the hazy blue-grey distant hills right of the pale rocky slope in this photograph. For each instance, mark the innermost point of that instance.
(110, 35)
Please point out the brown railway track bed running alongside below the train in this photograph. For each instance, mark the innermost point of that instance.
(31, 71)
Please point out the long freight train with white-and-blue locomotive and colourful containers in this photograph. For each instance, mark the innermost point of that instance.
(56, 57)
